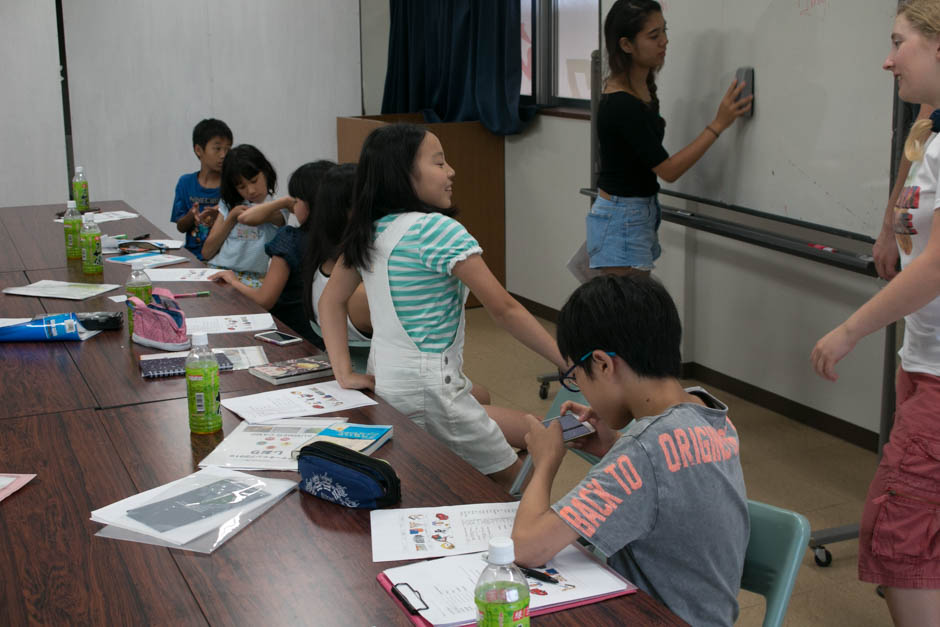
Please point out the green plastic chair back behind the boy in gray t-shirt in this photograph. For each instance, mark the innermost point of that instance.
(775, 549)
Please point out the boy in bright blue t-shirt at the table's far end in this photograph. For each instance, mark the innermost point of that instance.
(195, 205)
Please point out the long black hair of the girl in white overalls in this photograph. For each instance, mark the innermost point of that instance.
(383, 186)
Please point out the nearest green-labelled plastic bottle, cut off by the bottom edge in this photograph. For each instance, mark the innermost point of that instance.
(501, 593)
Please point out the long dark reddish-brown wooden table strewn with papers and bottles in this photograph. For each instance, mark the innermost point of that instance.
(82, 419)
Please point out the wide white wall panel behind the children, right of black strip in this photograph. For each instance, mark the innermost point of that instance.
(142, 74)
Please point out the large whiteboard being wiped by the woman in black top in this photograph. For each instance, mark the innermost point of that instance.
(818, 147)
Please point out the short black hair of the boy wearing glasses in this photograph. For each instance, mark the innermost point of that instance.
(633, 316)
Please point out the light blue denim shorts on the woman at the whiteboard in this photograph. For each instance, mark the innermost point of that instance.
(621, 232)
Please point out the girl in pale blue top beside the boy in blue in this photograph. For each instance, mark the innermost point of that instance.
(247, 179)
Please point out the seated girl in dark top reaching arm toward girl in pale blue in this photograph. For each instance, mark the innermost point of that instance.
(281, 290)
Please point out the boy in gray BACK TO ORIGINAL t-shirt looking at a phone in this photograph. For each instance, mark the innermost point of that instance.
(666, 502)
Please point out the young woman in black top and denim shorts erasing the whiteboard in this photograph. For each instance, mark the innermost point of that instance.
(623, 222)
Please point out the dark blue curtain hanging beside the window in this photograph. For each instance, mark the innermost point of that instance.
(456, 60)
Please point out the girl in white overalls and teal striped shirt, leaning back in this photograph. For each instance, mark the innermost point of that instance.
(403, 193)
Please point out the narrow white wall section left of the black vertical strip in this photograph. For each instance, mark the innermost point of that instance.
(32, 135)
